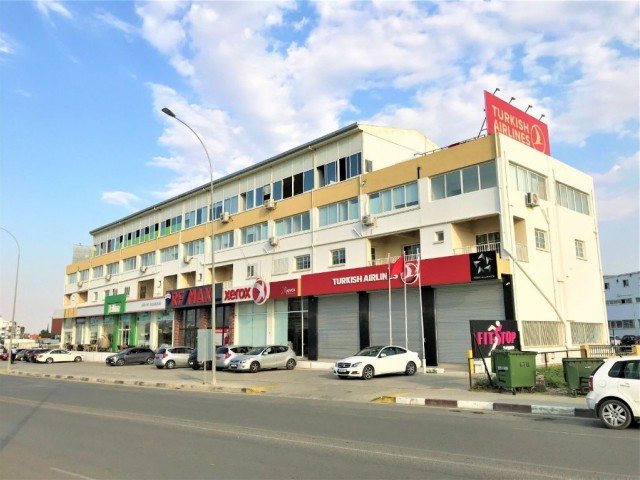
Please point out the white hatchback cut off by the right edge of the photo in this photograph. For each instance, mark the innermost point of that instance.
(614, 391)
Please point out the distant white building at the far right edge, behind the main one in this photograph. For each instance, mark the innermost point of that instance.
(622, 294)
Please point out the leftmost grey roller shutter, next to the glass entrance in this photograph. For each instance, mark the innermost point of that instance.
(338, 333)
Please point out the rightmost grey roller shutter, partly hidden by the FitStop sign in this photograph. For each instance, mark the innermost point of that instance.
(455, 306)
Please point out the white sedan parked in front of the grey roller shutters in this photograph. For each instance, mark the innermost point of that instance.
(377, 360)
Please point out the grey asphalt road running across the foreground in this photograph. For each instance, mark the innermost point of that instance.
(64, 430)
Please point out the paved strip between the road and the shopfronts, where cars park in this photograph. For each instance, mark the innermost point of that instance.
(447, 386)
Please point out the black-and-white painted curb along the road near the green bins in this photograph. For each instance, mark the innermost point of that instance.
(490, 406)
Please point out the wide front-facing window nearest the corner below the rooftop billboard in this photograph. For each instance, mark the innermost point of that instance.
(469, 179)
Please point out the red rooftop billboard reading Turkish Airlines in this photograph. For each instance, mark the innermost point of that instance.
(506, 119)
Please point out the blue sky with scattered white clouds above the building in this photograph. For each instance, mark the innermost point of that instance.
(83, 141)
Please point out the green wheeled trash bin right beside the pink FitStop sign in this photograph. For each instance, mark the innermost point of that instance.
(514, 369)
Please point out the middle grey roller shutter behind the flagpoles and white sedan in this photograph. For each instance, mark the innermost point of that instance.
(379, 318)
